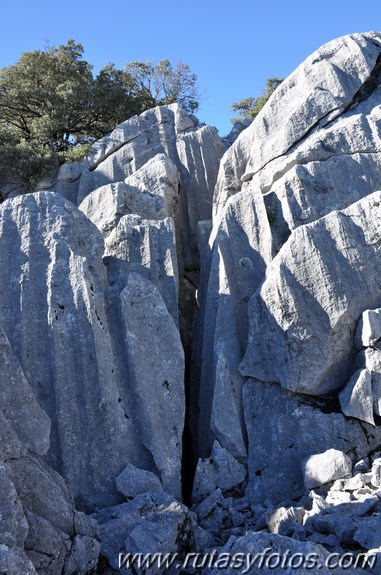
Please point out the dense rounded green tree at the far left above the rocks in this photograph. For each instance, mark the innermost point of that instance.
(46, 97)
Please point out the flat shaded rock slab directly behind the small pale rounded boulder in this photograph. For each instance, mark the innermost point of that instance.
(282, 433)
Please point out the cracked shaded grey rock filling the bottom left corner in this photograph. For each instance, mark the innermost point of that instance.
(39, 525)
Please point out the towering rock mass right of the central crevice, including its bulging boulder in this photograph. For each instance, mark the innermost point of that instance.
(295, 208)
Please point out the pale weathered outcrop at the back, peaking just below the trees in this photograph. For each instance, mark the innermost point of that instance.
(139, 167)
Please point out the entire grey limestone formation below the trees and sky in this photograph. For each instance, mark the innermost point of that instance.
(168, 318)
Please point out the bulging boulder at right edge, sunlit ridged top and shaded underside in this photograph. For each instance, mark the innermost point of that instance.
(303, 318)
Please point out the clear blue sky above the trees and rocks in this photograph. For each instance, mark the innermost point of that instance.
(232, 46)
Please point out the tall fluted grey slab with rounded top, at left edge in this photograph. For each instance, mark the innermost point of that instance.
(50, 255)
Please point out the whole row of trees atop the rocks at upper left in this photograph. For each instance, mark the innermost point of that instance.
(51, 104)
